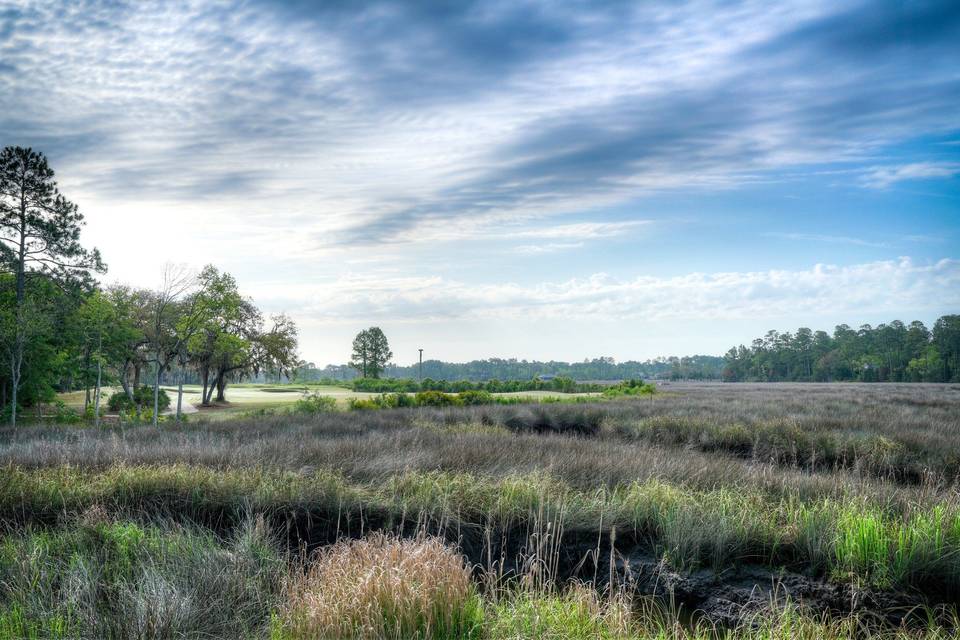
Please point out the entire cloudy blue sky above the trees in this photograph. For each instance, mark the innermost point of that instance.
(540, 180)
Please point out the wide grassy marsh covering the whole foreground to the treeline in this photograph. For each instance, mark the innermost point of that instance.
(704, 510)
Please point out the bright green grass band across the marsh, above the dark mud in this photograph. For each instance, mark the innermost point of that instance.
(847, 539)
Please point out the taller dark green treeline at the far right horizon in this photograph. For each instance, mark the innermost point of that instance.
(892, 352)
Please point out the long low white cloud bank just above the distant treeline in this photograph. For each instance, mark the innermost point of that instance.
(885, 286)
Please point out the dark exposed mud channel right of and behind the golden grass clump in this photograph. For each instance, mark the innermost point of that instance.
(728, 597)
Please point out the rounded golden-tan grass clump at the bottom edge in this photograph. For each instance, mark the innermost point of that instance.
(383, 587)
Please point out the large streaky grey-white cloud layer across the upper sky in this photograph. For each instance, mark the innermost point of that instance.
(376, 122)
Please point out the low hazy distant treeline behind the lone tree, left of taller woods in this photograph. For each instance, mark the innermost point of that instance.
(672, 368)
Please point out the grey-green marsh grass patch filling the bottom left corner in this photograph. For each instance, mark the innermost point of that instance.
(120, 579)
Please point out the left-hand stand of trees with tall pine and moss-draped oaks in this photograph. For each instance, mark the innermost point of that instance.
(60, 330)
